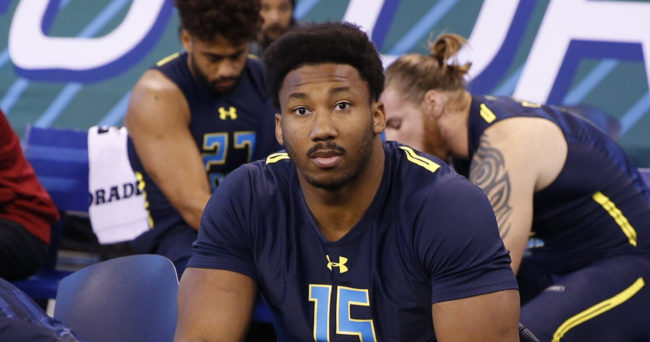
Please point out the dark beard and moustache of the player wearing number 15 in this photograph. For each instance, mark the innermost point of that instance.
(365, 151)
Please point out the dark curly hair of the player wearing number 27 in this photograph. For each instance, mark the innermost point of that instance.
(238, 21)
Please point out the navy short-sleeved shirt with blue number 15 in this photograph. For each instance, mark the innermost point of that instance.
(428, 236)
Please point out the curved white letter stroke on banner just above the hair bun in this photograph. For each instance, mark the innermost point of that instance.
(488, 35)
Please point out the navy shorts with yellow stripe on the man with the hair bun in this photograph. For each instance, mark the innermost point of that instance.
(606, 301)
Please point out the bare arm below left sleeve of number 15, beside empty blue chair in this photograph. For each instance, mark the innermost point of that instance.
(214, 305)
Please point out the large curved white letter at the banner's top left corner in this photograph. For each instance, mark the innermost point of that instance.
(31, 50)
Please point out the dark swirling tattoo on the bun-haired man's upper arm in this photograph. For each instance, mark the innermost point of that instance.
(489, 173)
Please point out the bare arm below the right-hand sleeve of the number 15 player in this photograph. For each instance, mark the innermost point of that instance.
(488, 317)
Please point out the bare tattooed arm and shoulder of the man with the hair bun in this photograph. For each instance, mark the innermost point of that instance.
(515, 158)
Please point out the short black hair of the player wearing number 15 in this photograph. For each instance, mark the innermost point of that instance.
(329, 42)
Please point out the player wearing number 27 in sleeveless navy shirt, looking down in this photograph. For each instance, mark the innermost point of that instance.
(205, 110)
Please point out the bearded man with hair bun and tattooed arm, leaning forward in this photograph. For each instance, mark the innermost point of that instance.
(549, 174)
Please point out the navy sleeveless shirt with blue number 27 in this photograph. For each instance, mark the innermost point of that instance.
(229, 129)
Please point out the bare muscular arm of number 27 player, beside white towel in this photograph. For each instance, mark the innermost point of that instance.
(158, 120)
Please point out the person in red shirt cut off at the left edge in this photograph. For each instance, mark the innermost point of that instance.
(26, 210)
